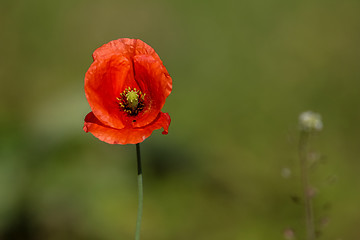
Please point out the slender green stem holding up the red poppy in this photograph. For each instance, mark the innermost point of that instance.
(140, 193)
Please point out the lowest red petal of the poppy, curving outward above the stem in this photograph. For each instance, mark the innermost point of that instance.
(125, 135)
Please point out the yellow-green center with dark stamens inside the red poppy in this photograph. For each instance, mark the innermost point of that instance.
(131, 101)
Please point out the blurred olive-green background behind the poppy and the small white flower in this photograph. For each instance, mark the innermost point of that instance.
(242, 73)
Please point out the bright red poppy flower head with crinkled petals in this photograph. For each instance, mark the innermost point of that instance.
(126, 87)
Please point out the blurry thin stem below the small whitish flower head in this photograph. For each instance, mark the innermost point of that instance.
(303, 154)
